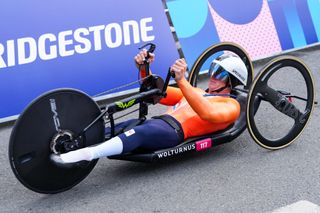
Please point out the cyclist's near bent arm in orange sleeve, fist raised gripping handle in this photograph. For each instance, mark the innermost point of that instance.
(220, 111)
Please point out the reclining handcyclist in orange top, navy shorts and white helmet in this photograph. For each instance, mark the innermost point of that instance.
(193, 112)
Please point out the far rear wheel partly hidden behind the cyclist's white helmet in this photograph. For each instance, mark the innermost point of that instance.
(198, 75)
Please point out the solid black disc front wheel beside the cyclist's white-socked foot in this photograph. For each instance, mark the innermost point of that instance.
(45, 127)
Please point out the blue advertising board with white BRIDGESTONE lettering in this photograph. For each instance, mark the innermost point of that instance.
(87, 45)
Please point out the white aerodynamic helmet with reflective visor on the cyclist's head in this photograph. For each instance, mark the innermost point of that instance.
(231, 64)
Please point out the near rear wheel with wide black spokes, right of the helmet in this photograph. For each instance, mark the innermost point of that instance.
(286, 89)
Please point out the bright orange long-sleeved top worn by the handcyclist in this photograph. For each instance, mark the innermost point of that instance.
(199, 115)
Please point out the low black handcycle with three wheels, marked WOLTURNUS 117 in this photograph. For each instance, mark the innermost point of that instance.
(63, 120)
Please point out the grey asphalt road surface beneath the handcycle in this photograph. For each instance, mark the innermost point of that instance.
(236, 177)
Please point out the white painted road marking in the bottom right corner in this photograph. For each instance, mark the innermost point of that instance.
(302, 206)
